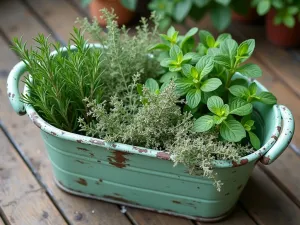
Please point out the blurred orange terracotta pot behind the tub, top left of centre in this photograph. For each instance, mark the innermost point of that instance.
(124, 15)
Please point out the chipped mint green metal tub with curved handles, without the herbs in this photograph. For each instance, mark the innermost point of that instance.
(145, 178)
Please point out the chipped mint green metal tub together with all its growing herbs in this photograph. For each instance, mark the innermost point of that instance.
(116, 116)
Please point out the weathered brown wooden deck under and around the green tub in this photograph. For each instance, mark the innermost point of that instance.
(28, 194)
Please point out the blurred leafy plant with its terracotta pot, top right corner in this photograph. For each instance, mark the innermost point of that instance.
(282, 21)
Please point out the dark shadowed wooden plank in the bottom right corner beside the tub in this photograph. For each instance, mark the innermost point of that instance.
(267, 204)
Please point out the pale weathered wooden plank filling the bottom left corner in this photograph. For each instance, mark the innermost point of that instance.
(23, 201)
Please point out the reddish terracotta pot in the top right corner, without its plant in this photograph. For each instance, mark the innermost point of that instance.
(280, 34)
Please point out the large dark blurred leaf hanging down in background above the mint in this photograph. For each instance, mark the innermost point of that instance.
(220, 16)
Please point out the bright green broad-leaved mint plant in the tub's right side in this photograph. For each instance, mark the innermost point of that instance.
(205, 77)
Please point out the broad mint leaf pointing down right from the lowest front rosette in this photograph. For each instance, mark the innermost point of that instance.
(232, 130)
